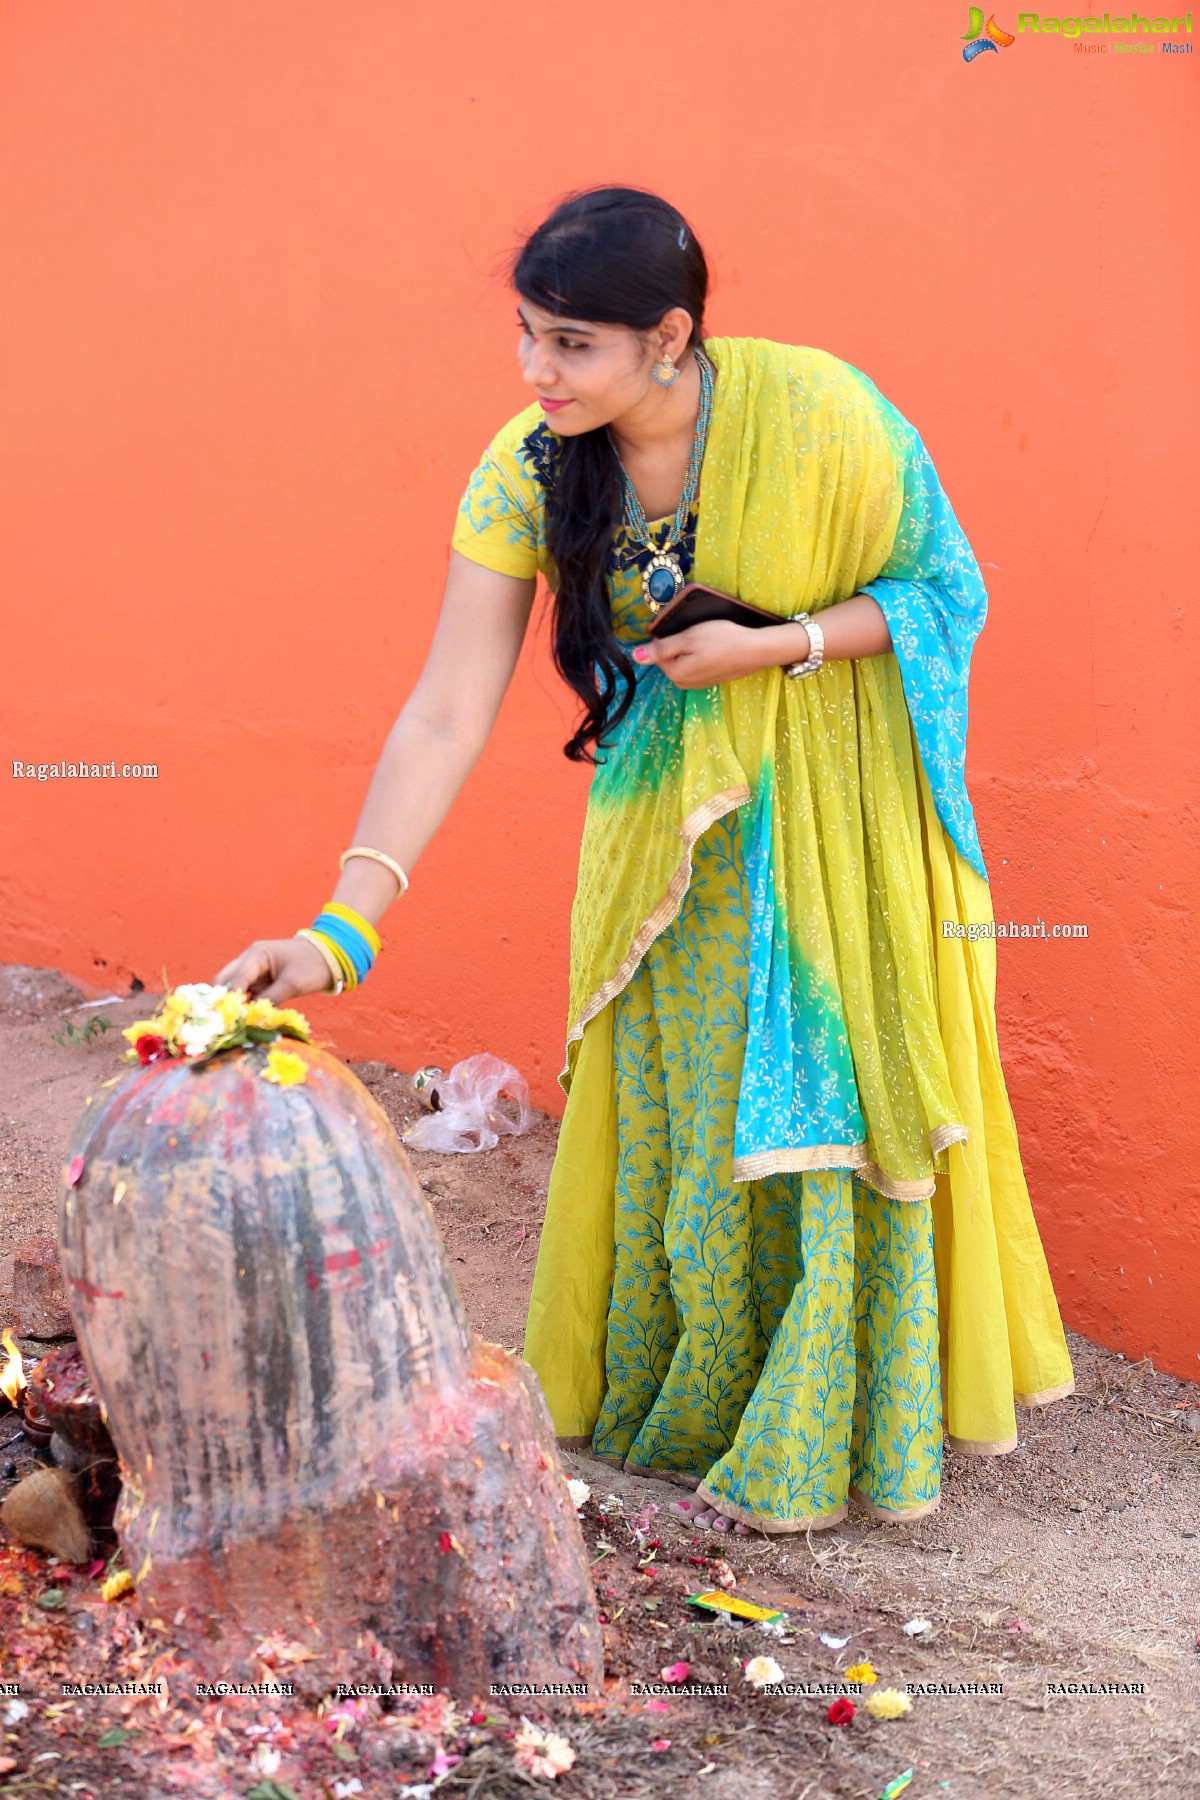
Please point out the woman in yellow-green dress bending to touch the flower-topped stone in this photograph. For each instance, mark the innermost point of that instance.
(787, 1230)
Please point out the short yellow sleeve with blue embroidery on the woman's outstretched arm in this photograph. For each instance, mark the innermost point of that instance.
(501, 519)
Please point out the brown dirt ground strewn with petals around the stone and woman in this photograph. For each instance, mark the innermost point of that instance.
(1075, 1560)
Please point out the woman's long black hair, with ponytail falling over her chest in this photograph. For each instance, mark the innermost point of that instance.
(614, 256)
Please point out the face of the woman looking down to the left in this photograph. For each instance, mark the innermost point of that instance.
(587, 373)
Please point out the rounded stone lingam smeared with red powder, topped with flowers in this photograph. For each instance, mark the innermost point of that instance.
(314, 1443)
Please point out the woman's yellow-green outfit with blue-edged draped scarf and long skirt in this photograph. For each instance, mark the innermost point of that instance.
(789, 1241)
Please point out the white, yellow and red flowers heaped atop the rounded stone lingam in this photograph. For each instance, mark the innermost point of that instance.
(197, 1021)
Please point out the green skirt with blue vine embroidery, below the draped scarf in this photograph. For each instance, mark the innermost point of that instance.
(773, 1344)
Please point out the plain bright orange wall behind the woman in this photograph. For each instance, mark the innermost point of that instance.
(256, 339)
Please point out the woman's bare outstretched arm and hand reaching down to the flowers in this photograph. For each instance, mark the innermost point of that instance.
(429, 753)
